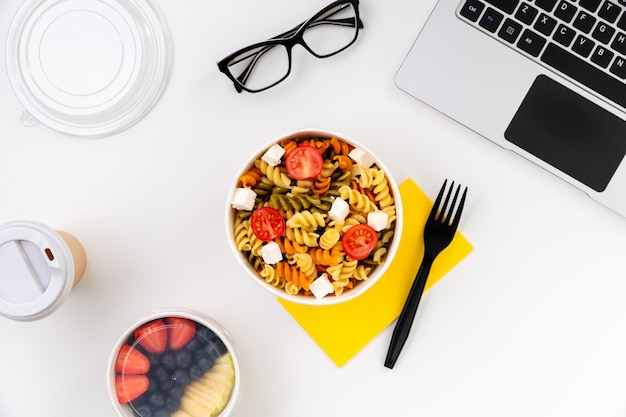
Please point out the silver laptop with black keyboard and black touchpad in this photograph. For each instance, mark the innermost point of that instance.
(544, 78)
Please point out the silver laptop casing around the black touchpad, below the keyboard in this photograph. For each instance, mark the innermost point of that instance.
(481, 83)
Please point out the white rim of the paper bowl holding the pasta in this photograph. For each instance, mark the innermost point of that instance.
(363, 286)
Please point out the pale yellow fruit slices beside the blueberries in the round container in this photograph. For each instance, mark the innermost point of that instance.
(208, 395)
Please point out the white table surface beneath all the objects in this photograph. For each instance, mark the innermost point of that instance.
(531, 323)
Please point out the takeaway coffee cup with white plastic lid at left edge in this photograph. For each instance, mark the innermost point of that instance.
(39, 266)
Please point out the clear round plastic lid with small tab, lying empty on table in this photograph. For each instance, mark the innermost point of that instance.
(90, 68)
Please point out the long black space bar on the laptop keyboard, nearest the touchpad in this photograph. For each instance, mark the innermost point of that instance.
(585, 73)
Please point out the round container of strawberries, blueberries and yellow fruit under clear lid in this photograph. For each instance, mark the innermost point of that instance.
(174, 363)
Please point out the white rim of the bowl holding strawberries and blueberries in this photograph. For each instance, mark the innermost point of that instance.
(124, 410)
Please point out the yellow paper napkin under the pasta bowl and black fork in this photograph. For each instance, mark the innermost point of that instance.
(341, 330)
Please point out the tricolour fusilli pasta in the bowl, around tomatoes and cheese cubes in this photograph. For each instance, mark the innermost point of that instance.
(311, 243)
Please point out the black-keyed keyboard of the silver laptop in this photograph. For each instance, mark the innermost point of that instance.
(584, 40)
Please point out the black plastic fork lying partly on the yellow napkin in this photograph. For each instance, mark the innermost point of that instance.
(439, 231)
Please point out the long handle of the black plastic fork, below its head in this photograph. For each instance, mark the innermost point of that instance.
(405, 320)
